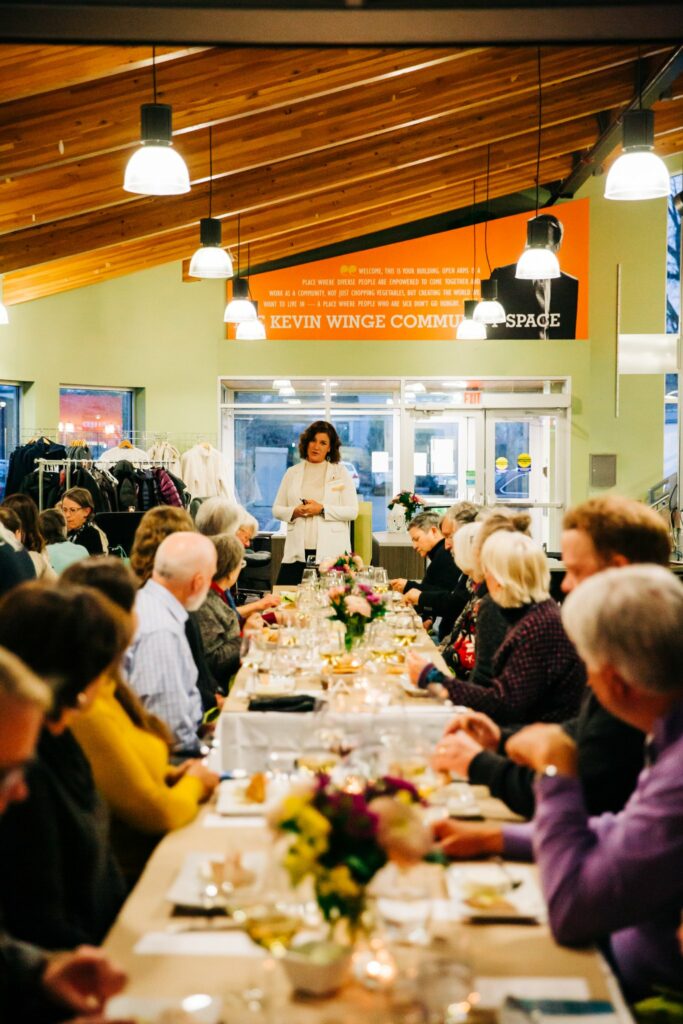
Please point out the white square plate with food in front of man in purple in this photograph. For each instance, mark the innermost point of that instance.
(485, 893)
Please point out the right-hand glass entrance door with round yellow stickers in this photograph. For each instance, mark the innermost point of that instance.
(526, 468)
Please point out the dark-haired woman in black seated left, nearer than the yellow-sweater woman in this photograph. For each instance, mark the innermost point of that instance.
(60, 885)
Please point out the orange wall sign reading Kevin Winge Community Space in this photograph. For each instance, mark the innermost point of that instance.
(416, 290)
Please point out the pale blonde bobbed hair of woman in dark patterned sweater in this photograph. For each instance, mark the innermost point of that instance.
(520, 566)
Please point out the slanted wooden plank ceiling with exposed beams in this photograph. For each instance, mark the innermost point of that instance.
(311, 147)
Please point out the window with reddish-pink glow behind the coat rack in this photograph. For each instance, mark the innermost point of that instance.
(101, 417)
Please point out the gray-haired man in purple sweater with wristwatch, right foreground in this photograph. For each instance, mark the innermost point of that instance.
(617, 877)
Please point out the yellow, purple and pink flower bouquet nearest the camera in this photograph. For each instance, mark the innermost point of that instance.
(341, 839)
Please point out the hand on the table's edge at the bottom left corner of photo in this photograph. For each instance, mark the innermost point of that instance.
(82, 980)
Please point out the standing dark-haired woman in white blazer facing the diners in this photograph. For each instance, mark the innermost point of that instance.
(318, 501)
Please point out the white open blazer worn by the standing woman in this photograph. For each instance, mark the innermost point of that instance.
(341, 507)
